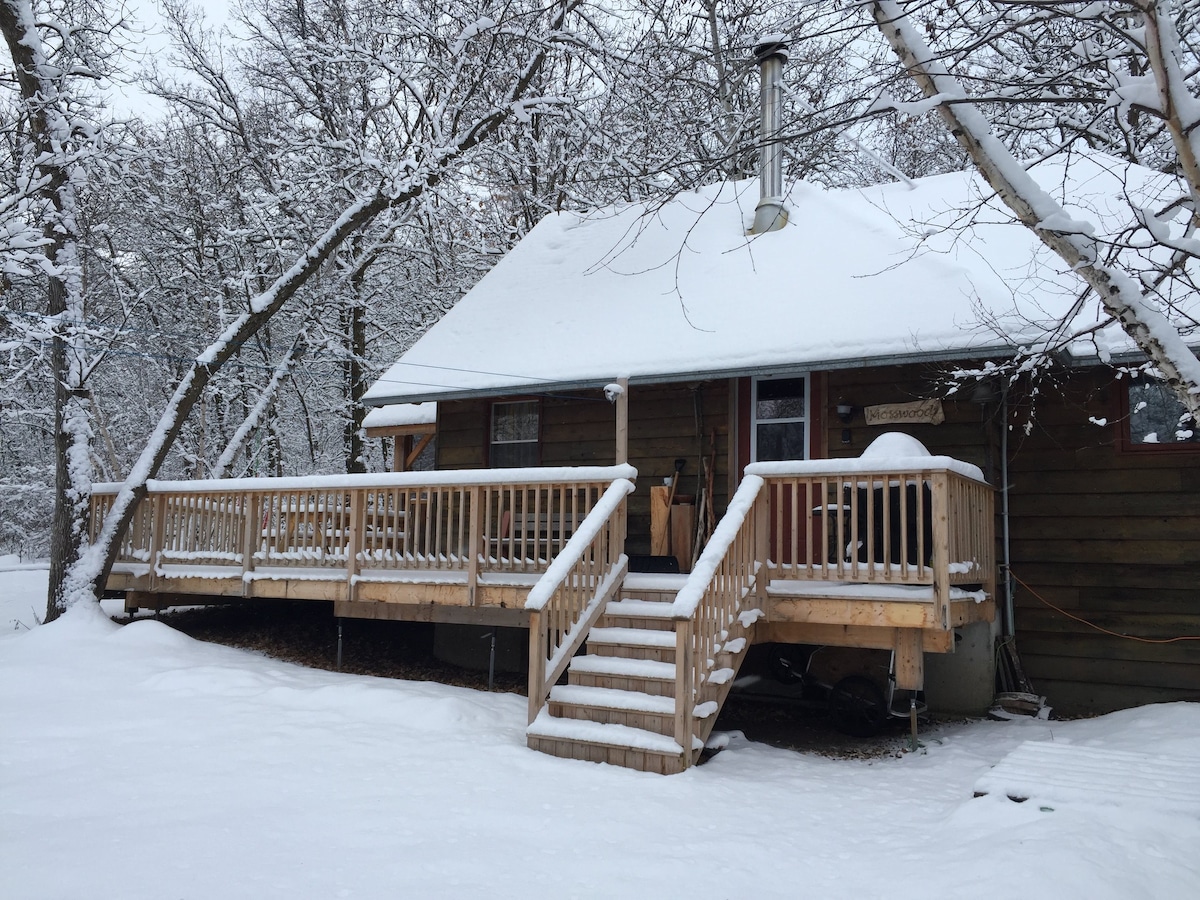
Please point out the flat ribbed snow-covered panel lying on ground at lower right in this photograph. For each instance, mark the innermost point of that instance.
(1064, 773)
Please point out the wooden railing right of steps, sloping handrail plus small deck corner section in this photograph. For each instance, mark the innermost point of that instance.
(922, 523)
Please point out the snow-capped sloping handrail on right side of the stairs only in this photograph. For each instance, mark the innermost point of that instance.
(712, 601)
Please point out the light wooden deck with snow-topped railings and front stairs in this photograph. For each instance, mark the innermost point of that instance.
(820, 553)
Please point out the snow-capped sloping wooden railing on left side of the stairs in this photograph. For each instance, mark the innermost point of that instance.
(572, 596)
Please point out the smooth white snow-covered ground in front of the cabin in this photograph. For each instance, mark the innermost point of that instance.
(137, 763)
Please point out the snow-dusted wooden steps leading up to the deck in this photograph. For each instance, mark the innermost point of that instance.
(620, 703)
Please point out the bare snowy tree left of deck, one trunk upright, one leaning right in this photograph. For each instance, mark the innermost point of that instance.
(451, 80)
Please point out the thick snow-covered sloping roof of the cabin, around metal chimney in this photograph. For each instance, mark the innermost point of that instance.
(885, 274)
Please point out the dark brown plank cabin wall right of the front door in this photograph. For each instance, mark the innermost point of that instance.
(1105, 533)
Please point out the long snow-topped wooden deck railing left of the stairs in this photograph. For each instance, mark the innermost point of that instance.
(350, 527)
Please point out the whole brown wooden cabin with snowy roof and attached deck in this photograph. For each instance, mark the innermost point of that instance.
(668, 433)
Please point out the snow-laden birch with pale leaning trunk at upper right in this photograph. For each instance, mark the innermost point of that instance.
(1159, 82)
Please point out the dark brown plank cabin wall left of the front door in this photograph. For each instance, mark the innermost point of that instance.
(667, 423)
